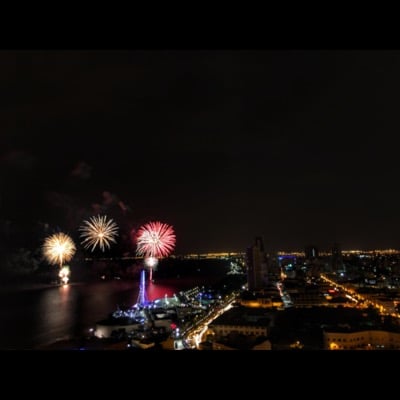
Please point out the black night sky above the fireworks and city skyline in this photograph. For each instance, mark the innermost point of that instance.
(299, 147)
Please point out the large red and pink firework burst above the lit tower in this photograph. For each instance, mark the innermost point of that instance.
(155, 239)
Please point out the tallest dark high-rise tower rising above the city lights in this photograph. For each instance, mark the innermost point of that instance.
(256, 261)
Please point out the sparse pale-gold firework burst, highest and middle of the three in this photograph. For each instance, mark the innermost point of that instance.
(98, 231)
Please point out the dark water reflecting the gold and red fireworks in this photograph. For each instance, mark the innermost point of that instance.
(31, 318)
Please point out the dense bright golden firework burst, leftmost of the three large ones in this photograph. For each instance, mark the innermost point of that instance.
(58, 248)
